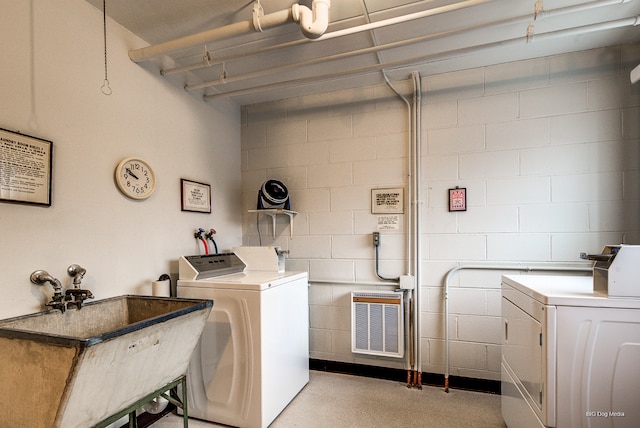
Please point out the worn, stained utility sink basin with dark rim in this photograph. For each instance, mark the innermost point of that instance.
(76, 369)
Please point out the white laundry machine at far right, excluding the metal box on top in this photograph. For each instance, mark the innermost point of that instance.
(569, 358)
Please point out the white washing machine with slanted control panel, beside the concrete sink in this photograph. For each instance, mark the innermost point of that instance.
(253, 355)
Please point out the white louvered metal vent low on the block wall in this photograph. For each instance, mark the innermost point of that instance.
(377, 323)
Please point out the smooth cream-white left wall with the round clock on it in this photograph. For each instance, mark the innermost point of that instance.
(50, 76)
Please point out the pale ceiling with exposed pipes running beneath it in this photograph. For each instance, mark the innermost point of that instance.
(472, 34)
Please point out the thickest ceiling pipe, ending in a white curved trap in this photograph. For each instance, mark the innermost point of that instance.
(311, 24)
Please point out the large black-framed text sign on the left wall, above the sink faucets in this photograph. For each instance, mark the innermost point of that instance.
(25, 169)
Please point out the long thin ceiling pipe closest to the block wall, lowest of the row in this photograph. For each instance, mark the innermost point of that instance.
(409, 62)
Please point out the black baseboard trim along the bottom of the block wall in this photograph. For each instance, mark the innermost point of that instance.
(399, 375)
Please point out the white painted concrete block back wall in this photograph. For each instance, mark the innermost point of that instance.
(548, 150)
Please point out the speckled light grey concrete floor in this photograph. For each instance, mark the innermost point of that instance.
(336, 400)
